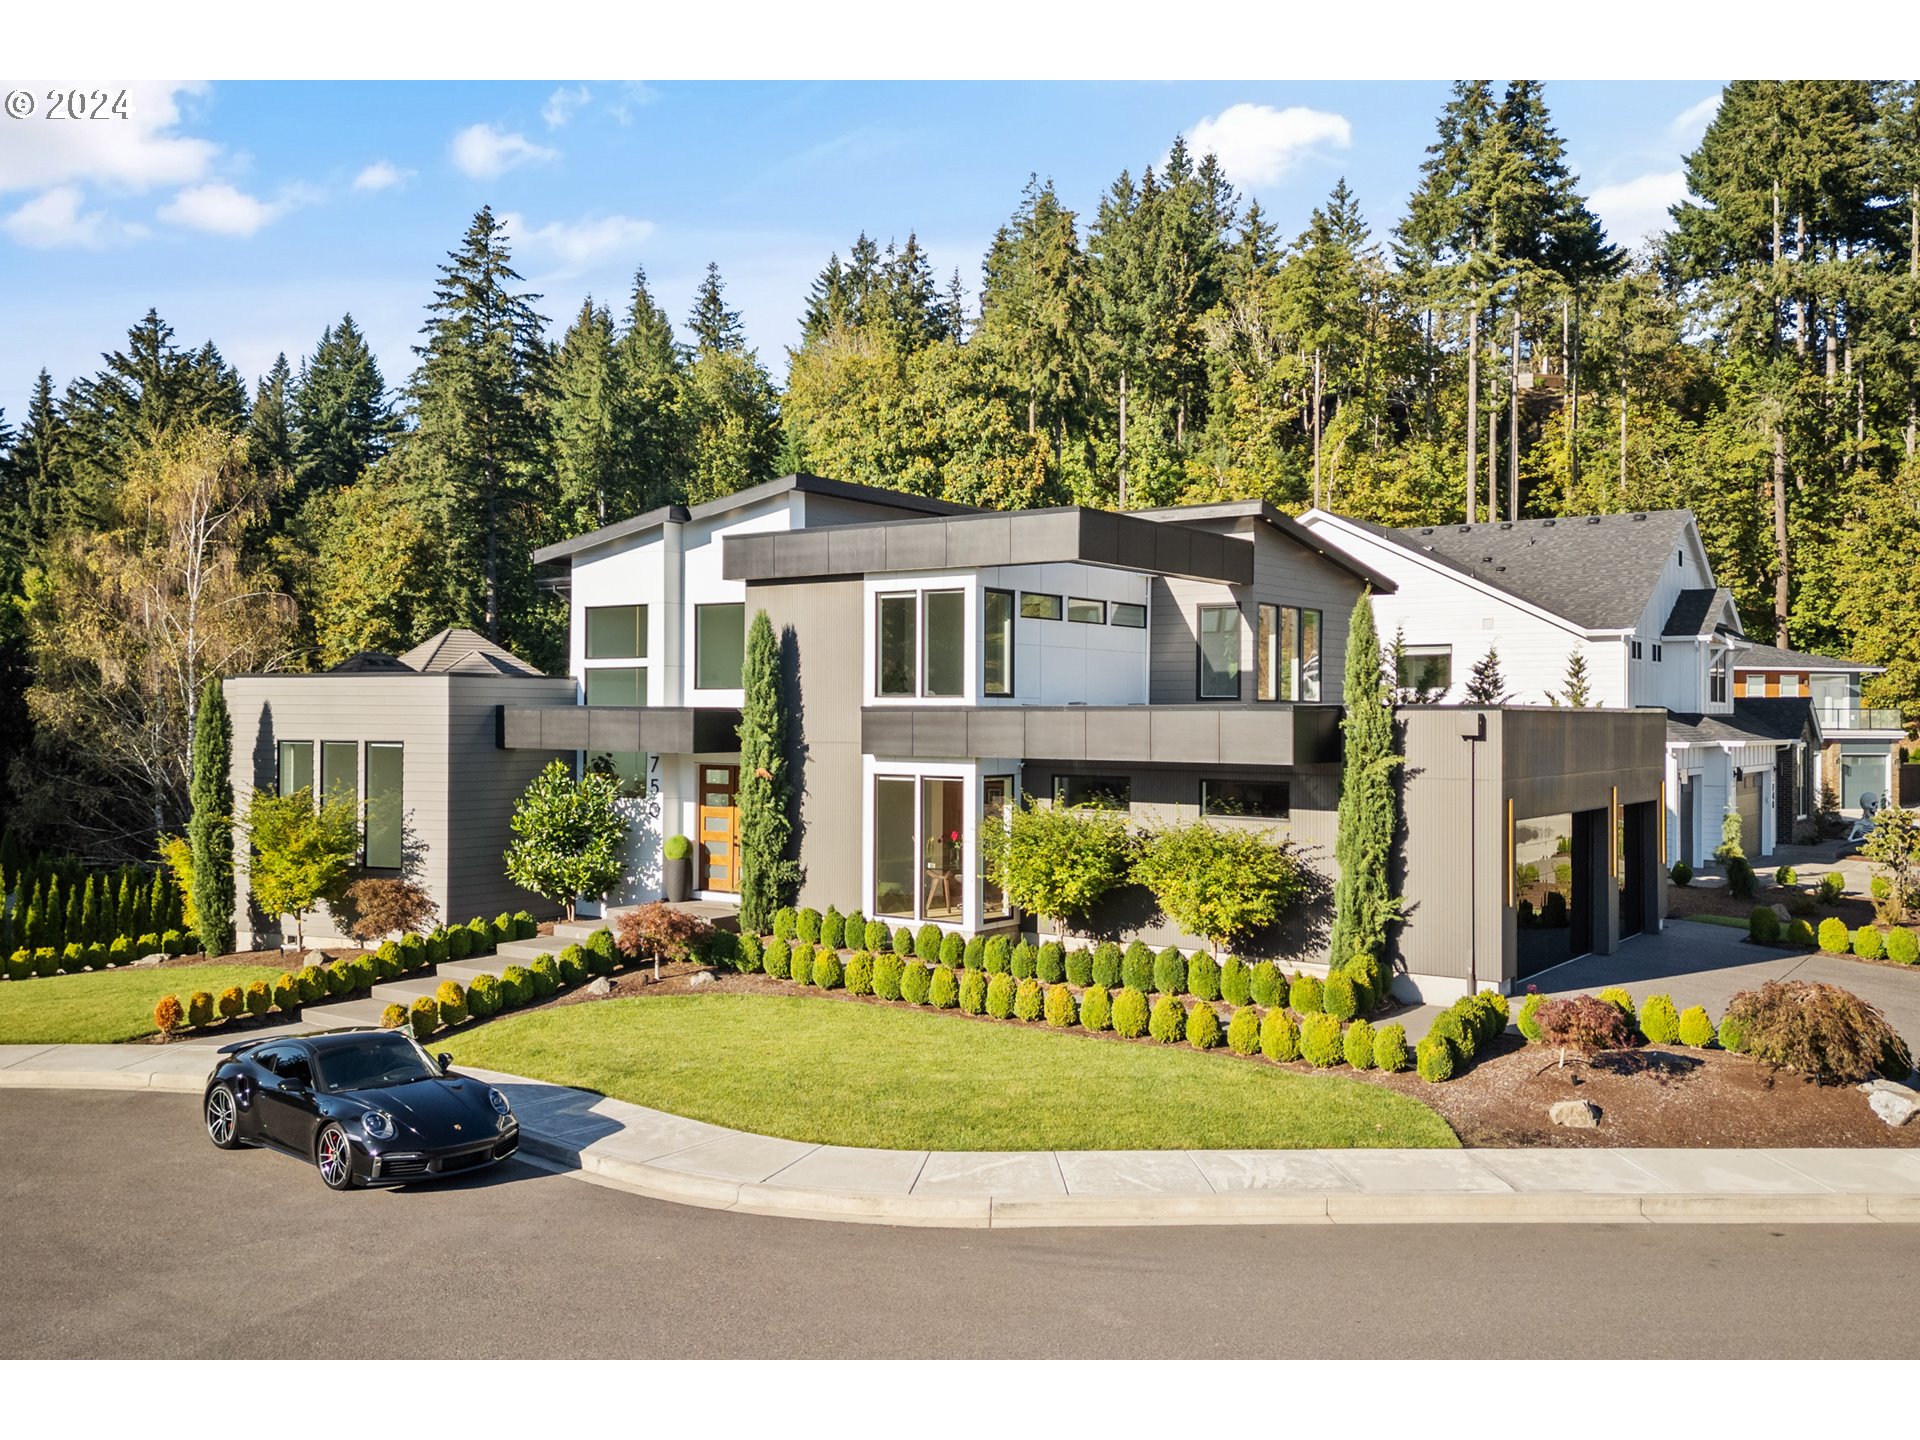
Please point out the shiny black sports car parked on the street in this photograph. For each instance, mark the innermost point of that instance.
(366, 1107)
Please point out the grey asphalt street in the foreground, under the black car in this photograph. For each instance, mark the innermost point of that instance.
(130, 1236)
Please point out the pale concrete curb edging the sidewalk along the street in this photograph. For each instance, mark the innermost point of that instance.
(1124, 1211)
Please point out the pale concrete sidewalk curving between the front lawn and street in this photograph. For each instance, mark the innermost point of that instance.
(690, 1163)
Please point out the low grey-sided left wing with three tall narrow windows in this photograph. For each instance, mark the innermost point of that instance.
(414, 744)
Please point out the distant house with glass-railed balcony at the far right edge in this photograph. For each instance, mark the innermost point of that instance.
(1861, 746)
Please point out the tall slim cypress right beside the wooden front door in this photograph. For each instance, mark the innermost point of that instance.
(765, 786)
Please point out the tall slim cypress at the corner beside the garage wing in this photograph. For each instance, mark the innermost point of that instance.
(1362, 901)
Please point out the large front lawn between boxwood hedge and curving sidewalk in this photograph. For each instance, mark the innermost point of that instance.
(911, 1080)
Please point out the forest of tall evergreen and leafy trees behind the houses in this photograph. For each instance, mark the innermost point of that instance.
(1489, 354)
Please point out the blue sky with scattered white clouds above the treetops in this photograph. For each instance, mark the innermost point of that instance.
(256, 214)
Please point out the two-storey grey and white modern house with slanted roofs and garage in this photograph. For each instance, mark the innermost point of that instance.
(944, 665)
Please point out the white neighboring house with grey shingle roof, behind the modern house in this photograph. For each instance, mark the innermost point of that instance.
(1637, 598)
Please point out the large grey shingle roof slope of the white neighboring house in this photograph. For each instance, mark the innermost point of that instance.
(1596, 571)
